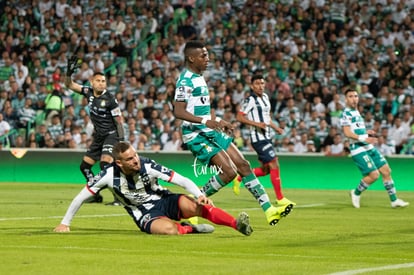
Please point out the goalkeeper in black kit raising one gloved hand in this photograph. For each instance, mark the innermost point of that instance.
(106, 118)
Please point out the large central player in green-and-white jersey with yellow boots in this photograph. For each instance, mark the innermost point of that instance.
(205, 135)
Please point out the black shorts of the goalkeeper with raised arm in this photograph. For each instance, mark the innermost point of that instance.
(102, 145)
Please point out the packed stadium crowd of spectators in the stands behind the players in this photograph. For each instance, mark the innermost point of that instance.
(309, 51)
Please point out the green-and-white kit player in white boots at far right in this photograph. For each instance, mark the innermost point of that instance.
(369, 160)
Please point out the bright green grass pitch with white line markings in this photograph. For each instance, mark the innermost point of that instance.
(322, 235)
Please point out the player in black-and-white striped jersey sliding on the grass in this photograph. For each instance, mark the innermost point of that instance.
(134, 182)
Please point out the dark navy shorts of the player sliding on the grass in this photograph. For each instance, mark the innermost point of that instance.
(166, 207)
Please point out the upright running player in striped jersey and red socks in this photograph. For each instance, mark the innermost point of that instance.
(255, 112)
